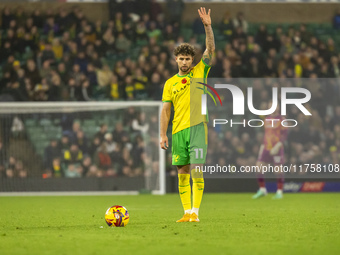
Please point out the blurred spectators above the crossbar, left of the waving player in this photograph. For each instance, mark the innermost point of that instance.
(62, 56)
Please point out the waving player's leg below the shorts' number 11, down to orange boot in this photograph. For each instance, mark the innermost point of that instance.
(198, 152)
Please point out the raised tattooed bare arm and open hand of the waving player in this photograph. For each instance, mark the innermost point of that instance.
(209, 41)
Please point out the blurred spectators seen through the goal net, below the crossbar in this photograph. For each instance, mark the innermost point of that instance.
(129, 148)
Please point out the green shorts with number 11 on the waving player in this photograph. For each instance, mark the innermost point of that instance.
(189, 146)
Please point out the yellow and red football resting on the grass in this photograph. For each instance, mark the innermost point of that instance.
(117, 216)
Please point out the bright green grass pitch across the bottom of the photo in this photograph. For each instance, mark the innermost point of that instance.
(230, 224)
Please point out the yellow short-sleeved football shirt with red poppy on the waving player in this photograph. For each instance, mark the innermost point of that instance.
(186, 97)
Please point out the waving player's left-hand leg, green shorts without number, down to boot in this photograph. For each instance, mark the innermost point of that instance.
(180, 158)
